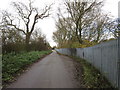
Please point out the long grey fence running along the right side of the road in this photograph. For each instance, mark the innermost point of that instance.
(105, 57)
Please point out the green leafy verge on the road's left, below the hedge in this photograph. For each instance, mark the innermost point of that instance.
(14, 64)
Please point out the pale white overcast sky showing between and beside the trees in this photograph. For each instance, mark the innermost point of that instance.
(48, 25)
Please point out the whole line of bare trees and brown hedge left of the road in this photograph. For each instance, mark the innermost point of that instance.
(19, 31)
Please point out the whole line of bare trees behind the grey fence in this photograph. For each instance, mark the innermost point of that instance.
(84, 24)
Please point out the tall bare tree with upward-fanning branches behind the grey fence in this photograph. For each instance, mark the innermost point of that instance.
(80, 13)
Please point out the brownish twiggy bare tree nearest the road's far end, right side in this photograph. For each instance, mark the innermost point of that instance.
(64, 33)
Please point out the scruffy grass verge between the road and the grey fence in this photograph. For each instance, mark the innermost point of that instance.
(92, 78)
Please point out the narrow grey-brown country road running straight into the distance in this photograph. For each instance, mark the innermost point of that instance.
(53, 71)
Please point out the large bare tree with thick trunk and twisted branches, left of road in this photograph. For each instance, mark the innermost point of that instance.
(29, 15)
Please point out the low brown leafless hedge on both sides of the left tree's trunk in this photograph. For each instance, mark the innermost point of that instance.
(13, 41)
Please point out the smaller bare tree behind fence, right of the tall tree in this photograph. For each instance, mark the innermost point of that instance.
(97, 30)
